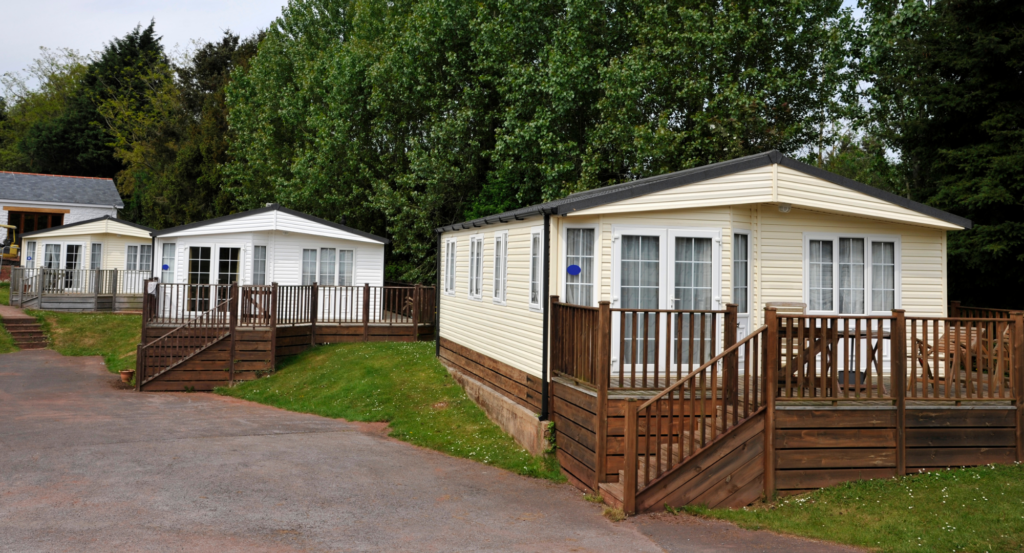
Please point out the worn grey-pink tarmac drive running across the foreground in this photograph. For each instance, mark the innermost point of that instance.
(88, 466)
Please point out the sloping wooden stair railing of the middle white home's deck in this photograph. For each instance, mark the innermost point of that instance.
(186, 341)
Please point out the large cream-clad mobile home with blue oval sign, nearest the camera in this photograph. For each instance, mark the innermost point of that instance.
(751, 232)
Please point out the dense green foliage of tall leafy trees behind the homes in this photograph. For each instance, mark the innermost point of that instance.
(404, 116)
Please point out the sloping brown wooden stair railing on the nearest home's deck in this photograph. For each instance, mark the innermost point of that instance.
(682, 420)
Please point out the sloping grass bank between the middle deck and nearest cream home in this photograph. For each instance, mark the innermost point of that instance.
(400, 384)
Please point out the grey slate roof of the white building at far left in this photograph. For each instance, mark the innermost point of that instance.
(59, 190)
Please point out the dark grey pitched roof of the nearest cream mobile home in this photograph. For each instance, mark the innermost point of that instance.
(618, 193)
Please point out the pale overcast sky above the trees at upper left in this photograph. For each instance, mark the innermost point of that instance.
(88, 25)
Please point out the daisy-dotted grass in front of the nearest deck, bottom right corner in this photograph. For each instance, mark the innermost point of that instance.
(974, 509)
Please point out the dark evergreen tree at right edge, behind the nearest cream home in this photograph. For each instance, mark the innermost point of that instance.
(946, 94)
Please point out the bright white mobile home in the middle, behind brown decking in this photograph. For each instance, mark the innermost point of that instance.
(269, 245)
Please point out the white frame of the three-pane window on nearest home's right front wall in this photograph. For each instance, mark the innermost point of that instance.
(869, 240)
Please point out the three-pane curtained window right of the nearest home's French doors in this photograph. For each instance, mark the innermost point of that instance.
(852, 275)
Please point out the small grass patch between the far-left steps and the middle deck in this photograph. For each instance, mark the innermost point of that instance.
(113, 336)
